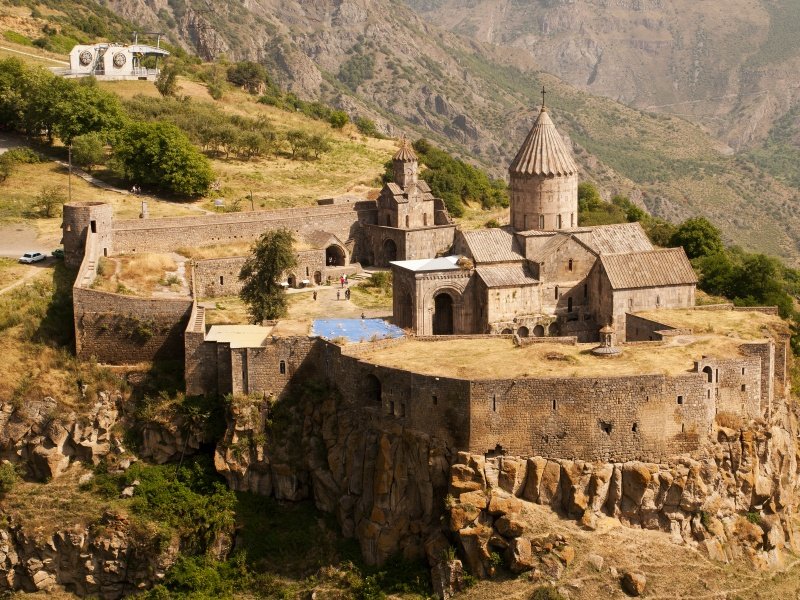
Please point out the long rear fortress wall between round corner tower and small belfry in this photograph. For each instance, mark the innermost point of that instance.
(165, 235)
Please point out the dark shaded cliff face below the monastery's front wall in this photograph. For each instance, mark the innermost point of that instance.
(385, 484)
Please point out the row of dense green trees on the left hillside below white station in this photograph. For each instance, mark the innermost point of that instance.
(78, 112)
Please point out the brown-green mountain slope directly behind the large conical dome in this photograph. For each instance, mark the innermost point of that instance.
(379, 59)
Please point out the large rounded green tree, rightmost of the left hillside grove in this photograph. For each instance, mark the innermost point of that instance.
(160, 154)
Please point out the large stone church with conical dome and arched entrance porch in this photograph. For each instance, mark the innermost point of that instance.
(542, 275)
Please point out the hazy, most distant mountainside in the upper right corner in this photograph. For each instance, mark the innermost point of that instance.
(711, 62)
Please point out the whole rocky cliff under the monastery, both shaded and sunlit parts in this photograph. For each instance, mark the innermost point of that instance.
(386, 485)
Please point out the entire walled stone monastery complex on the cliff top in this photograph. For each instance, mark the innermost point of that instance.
(502, 326)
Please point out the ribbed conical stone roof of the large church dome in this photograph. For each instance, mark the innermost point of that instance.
(544, 152)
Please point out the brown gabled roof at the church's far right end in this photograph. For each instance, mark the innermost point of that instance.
(656, 268)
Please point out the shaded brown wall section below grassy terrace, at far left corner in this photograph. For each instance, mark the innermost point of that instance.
(121, 329)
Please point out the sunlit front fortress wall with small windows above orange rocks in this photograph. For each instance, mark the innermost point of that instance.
(590, 418)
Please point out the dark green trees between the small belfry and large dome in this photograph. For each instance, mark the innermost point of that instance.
(454, 181)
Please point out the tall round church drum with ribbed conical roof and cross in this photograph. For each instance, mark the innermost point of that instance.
(544, 180)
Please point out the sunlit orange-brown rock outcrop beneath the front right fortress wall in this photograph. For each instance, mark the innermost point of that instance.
(737, 500)
